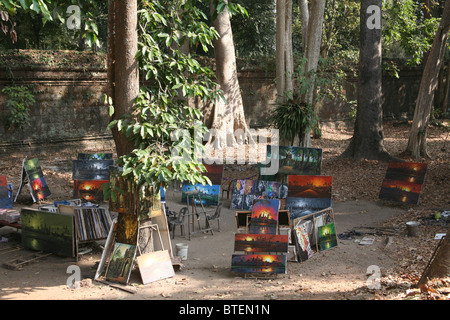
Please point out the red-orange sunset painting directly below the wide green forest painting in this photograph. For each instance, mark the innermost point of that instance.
(309, 186)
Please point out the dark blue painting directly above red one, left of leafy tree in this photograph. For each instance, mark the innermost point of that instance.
(91, 169)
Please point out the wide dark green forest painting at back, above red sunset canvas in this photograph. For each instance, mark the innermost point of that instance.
(296, 160)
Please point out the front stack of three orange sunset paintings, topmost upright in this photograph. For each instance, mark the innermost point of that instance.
(265, 251)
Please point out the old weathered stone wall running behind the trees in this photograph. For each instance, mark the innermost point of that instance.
(69, 106)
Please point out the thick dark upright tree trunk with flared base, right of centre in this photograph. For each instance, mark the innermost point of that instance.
(367, 141)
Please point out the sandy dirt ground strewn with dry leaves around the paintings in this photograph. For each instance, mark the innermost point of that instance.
(344, 272)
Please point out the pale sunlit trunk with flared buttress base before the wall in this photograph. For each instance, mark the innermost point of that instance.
(229, 115)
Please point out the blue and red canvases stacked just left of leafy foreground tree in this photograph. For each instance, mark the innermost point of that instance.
(90, 173)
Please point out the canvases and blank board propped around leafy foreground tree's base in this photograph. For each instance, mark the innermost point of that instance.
(122, 248)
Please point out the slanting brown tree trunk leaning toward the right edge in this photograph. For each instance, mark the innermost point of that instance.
(417, 143)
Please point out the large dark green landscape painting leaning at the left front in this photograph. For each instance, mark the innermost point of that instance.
(48, 232)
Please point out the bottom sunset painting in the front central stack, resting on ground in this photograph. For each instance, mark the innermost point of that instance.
(258, 263)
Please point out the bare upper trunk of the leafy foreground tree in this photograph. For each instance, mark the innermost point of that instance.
(126, 71)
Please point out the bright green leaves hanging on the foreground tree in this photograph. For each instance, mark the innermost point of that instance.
(161, 111)
